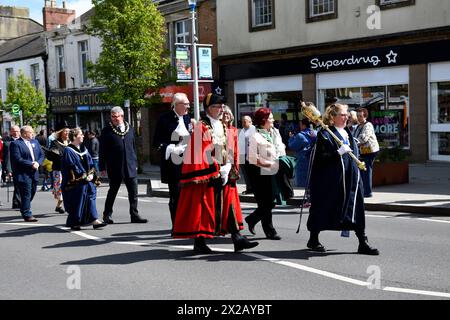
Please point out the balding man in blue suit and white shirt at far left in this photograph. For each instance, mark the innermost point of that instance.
(26, 157)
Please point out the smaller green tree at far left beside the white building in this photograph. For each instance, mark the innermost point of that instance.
(31, 101)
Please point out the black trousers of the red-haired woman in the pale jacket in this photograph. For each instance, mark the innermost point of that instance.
(262, 190)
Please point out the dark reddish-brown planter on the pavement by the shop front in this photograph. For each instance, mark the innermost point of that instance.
(387, 173)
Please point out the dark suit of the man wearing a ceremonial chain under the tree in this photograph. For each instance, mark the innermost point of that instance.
(118, 157)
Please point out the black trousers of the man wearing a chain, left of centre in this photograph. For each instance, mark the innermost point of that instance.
(114, 185)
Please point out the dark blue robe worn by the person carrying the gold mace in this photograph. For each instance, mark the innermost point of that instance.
(337, 201)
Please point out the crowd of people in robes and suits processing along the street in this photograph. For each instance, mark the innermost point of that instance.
(201, 161)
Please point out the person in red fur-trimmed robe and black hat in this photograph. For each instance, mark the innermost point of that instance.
(205, 209)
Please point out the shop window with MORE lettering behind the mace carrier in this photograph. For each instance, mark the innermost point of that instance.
(388, 108)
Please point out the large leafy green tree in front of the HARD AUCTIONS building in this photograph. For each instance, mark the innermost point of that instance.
(133, 45)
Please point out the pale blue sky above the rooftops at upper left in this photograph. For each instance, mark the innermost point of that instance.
(35, 6)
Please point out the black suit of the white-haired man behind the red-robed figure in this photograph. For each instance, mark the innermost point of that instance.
(170, 172)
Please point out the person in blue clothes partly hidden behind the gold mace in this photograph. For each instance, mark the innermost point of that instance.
(302, 143)
